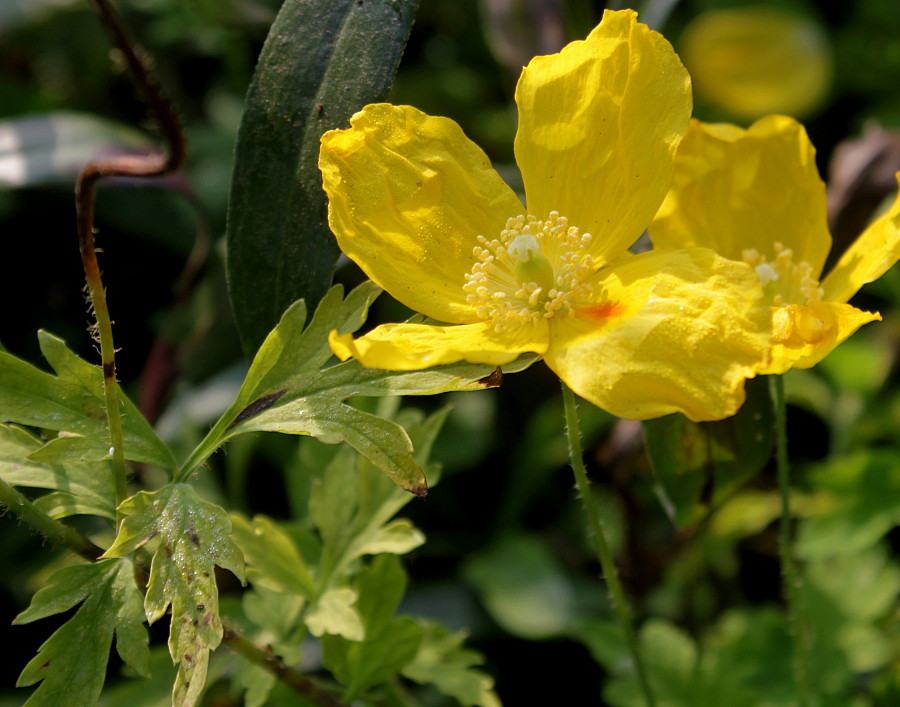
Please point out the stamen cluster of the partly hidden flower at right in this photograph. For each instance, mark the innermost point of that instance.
(797, 317)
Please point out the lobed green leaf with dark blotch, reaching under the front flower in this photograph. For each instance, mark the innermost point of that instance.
(286, 390)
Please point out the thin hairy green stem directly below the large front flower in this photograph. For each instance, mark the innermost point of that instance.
(601, 544)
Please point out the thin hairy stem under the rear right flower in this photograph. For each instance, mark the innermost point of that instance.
(790, 577)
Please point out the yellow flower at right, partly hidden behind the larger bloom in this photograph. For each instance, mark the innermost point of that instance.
(755, 195)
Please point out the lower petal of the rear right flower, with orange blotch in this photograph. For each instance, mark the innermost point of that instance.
(805, 334)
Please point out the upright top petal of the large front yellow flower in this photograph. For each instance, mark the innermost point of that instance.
(598, 126)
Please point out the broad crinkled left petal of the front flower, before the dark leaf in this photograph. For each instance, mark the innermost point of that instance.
(408, 195)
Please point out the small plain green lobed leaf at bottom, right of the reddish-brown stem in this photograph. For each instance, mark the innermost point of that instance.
(390, 644)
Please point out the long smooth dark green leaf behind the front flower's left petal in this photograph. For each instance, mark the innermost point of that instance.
(321, 62)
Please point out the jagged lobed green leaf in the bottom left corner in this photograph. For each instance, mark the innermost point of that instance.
(72, 662)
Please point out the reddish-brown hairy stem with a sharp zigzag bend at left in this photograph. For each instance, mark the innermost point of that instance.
(85, 194)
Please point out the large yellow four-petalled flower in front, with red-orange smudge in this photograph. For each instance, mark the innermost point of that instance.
(419, 208)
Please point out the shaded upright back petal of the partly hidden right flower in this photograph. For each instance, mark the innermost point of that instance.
(737, 189)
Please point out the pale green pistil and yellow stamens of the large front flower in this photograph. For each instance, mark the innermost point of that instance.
(533, 270)
